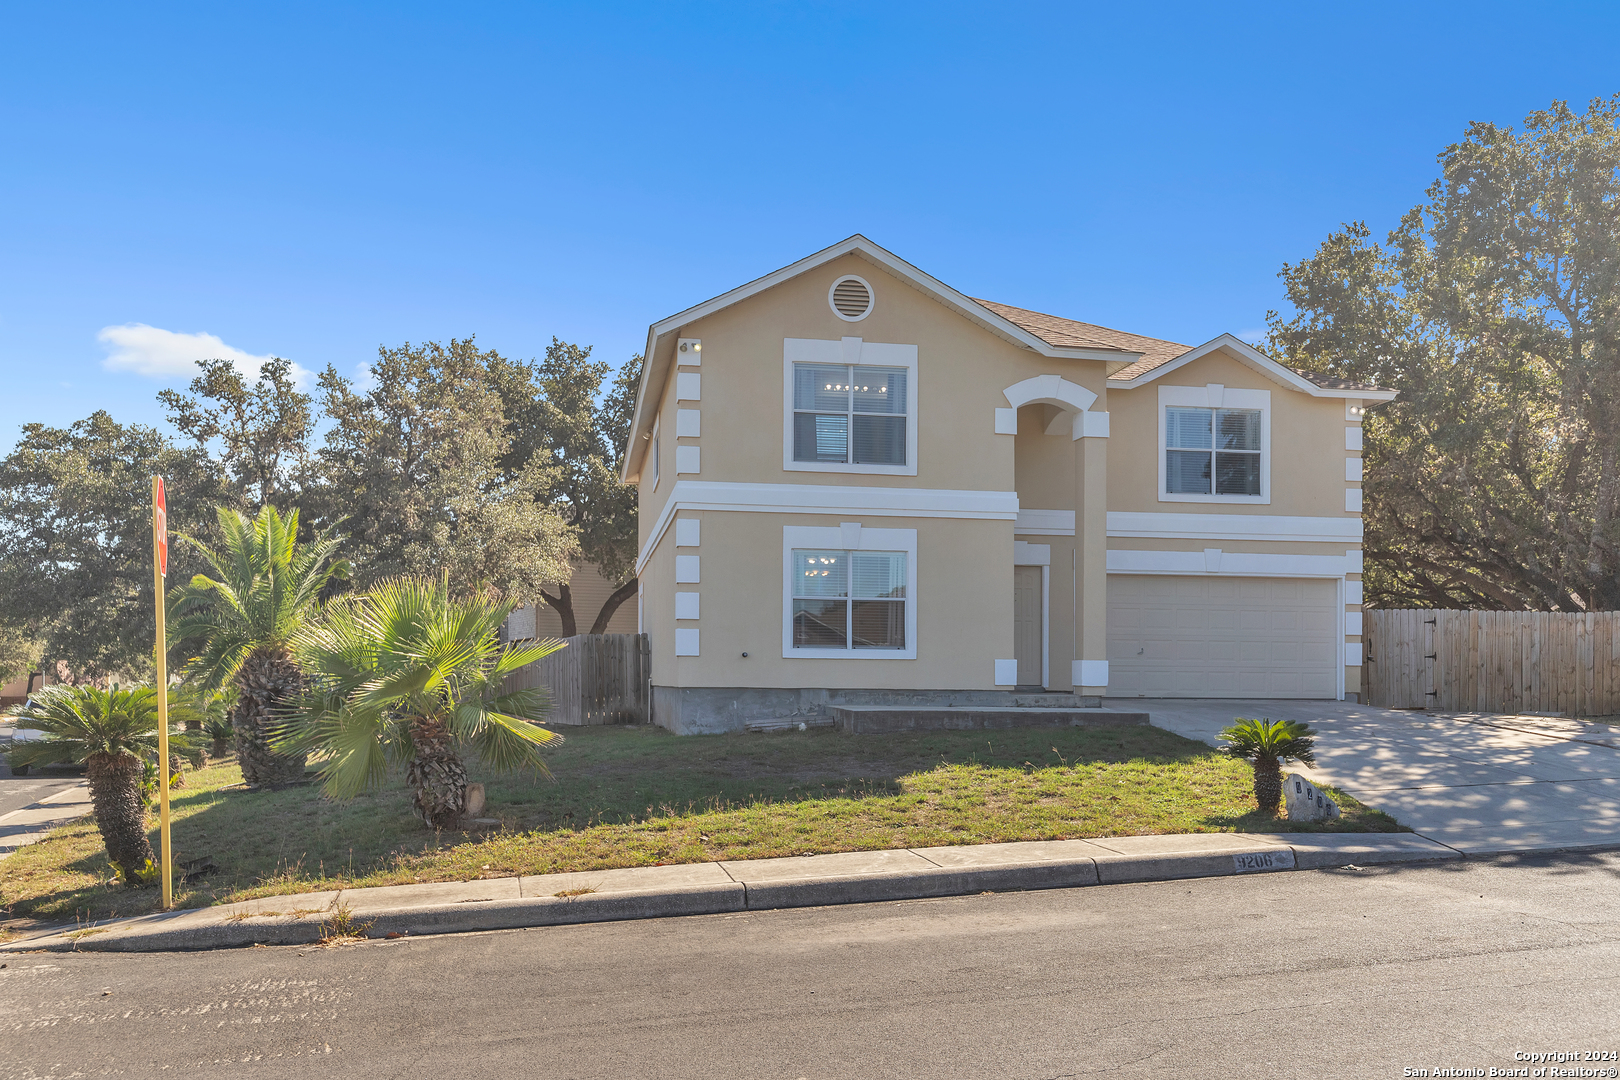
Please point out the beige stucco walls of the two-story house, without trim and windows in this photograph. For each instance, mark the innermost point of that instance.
(965, 566)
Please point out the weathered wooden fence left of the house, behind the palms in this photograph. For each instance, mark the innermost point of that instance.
(597, 679)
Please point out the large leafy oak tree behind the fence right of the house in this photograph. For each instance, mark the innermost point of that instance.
(1494, 308)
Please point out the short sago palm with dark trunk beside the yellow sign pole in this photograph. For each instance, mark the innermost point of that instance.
(114, 733)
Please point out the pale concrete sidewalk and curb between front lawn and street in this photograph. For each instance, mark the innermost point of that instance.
(736, 887)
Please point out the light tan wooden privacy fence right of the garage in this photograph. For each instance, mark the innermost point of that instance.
(1494, 661)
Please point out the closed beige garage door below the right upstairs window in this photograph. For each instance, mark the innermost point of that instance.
(1195, 637)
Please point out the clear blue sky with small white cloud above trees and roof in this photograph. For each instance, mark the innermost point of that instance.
(315, 182)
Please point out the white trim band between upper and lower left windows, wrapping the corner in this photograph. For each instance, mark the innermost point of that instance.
(866, 501)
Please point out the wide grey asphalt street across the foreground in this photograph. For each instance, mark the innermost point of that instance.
(1310, 974)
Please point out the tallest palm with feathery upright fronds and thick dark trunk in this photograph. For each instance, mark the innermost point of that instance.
(244, 621)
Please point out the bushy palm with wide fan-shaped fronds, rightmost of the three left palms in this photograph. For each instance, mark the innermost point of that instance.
(409, 674)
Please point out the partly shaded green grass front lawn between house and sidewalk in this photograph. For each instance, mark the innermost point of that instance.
(637, 796)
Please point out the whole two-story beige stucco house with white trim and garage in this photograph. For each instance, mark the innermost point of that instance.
(863, 487)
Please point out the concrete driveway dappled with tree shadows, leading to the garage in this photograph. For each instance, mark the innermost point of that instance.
(1477, 783)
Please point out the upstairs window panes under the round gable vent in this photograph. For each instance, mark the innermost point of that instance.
(850, 415)
